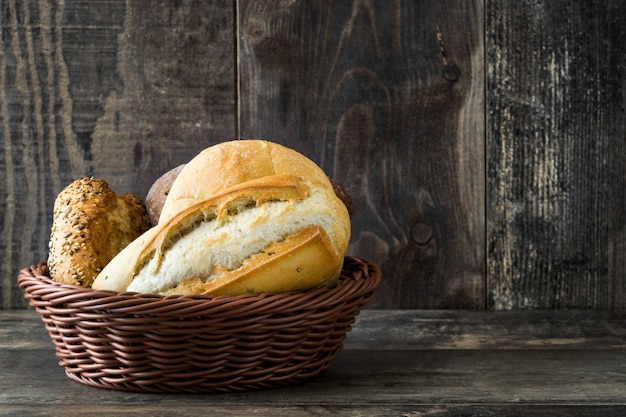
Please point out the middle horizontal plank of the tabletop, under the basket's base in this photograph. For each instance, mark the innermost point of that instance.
(390, 377)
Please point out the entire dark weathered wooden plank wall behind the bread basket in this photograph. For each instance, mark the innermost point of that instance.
(482, 141)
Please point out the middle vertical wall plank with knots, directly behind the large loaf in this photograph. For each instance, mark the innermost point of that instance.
(388, 98)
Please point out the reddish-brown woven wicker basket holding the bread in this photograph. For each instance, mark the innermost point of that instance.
(198, 344)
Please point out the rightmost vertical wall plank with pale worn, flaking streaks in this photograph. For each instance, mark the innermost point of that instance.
(556, 133)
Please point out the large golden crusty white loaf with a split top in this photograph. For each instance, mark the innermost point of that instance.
(241, 217)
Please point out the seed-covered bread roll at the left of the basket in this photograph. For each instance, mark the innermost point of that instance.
(91, 224)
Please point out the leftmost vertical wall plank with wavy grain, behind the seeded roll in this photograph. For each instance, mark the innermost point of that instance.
(118, 90)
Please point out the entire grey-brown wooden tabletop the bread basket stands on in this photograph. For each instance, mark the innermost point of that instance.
(404, 363)
